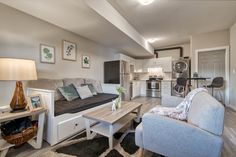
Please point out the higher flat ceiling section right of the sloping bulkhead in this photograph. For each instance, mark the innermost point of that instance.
(174, 21)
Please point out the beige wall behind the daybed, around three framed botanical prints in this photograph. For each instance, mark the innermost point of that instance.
(20, 36)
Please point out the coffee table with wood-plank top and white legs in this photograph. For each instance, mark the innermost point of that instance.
(110, 122)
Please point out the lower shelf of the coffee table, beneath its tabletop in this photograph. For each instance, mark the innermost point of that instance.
(103, 128)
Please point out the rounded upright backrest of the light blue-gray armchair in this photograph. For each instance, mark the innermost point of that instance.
(207, 113)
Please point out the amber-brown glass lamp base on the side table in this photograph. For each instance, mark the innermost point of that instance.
(18, 102)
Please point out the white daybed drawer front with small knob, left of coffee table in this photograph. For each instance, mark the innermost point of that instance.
(70, 127)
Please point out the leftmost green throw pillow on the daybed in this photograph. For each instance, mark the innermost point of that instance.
(69, 92)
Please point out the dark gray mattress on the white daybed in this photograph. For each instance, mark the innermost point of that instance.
(78, 105)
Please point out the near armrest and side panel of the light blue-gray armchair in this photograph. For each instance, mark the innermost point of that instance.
(174, 138)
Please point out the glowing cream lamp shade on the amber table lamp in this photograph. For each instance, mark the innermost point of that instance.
(17, 69)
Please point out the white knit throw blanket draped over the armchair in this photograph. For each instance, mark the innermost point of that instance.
(181, 111)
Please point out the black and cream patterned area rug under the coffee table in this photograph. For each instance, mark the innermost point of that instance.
(124, 146)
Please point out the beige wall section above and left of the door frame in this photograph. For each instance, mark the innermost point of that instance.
(208, 40)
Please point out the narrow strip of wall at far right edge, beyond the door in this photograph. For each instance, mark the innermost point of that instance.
(233, 66)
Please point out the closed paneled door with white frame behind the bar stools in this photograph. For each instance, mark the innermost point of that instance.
(214, 62)
